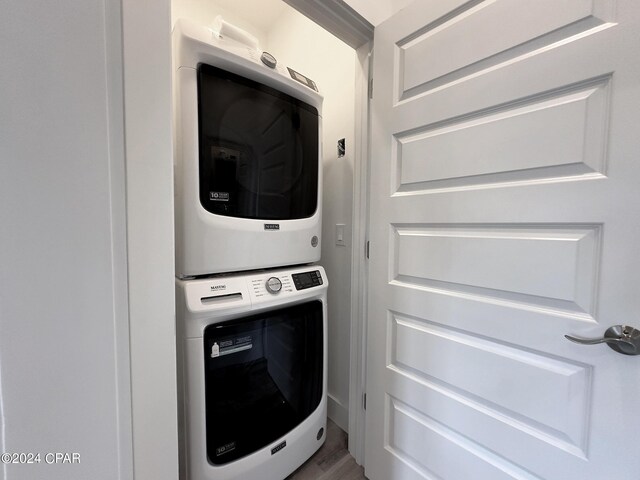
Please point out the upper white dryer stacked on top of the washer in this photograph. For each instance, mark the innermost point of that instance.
(247, 155)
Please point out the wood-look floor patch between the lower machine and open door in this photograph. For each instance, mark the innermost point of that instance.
(332, 461)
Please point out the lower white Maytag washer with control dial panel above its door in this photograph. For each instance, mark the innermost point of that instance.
(252, 373)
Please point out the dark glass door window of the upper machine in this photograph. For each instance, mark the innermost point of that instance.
(258, 149)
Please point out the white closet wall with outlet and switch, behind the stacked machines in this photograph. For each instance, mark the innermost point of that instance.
(307, 48)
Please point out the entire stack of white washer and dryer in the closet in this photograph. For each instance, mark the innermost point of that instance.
(251, 303)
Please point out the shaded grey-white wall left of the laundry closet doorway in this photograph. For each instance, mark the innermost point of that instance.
(64, 365)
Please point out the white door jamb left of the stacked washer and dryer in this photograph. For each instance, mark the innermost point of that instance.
(146, 54)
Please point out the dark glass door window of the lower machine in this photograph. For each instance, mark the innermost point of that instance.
(263, 377)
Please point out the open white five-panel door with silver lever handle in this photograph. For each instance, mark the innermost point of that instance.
(505, 214)
